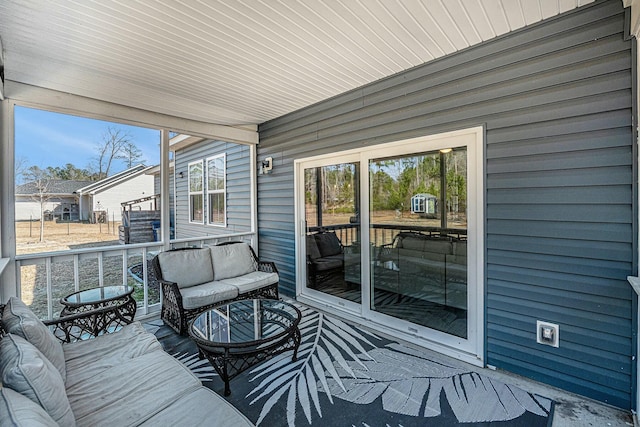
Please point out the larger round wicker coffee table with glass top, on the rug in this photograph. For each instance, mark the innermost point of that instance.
(238, 335)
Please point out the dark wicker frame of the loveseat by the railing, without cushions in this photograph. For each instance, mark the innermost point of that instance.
(177, 317)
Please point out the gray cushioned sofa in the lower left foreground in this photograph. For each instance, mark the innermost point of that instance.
(124, 378)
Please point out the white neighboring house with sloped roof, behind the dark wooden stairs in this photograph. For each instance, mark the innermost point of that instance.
(105, 197)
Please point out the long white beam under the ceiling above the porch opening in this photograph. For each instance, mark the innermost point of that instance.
(37, 97)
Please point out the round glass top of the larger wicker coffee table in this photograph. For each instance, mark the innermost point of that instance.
(245, 322)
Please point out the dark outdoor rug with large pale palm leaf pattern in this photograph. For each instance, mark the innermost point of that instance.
(348, 376)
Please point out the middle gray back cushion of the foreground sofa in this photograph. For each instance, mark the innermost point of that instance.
(24, 369)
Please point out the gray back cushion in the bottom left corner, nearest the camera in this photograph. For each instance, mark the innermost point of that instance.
(17, 410)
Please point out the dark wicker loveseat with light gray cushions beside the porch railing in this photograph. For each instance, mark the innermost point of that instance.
(196, 279)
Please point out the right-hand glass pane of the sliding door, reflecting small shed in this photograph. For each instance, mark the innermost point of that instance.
(418, 229)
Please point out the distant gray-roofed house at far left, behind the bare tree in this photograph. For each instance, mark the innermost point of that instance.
(60, 200)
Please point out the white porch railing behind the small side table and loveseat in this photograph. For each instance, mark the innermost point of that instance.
(44, 278)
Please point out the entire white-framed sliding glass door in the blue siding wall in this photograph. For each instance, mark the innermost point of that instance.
(394, 235)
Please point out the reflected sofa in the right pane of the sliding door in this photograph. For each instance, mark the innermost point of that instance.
(428, 267)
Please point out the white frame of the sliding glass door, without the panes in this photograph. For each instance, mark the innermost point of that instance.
(470, 349)
